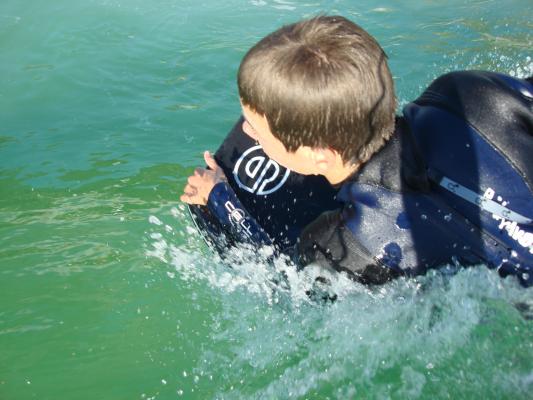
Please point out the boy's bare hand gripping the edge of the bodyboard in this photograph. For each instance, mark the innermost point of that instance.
(200, 184)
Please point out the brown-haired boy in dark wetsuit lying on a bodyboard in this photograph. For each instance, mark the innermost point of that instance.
(448, 182)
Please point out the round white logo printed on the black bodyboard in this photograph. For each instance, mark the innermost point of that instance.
(258, 174)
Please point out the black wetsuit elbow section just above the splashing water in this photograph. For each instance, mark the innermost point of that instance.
(329, 243)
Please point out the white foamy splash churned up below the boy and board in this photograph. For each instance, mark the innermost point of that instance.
(401, 339)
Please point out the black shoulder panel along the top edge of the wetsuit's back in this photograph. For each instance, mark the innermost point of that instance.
(497, 106)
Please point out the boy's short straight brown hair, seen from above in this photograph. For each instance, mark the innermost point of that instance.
(321, 83)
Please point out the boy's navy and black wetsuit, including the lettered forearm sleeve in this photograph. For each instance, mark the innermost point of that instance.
(453, 185)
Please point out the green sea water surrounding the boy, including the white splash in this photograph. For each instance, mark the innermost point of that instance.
(107, 293)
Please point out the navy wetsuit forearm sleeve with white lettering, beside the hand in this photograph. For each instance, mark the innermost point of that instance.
(226, 207)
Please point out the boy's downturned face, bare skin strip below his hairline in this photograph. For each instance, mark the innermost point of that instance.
(256, 126)
